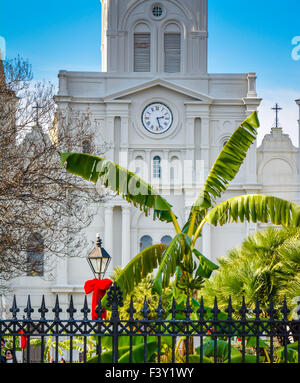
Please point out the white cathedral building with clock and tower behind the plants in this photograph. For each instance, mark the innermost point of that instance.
(155, 102)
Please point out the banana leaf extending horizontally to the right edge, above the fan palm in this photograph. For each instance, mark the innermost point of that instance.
(255, 208)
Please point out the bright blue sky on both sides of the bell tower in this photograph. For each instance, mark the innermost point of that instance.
(244, 36)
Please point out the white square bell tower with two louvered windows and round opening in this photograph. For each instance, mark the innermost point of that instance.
(154, 36)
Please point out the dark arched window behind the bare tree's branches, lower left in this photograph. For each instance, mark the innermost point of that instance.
(35, 255)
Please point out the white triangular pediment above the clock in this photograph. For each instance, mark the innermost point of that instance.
(125, 93)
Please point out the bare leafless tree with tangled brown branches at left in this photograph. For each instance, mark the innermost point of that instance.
(43, 210)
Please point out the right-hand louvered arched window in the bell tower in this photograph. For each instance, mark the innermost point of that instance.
(172, 49)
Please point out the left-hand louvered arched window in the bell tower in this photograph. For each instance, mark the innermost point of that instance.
(142, 48)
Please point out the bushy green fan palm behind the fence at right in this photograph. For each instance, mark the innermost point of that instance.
(265, 267)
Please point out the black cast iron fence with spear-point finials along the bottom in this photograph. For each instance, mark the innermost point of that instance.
(187, 335)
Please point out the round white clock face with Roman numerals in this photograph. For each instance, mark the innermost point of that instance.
(157, 118)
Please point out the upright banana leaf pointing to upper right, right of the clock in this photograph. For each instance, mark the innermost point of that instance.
(225, 167)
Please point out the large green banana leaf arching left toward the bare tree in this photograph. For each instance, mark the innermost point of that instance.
(120, 180)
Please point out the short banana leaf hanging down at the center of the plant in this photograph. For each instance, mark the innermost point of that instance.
(171, 259)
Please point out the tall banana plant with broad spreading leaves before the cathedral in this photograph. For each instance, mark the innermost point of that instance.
(180, 258)
